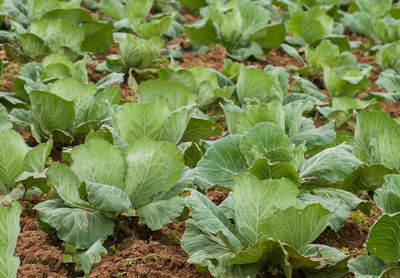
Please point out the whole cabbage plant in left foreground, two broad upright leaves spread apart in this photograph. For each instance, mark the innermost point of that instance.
(102, 184)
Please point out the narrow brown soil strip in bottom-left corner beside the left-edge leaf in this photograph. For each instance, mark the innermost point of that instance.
(40, 253)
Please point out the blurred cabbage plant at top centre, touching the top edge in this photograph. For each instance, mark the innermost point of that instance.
(243, 27)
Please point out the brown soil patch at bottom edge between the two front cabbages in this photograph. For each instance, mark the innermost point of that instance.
(158, 256)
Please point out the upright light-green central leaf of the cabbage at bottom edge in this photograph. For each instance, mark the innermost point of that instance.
(254, 201)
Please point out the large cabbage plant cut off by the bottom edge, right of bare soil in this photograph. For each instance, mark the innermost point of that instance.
(254, 229)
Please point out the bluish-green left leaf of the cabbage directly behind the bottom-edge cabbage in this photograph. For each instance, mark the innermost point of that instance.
(221, 162)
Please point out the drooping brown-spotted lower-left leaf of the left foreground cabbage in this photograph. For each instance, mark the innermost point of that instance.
(78, 227)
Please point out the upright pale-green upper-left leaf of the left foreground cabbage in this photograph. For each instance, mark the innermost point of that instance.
(99, 162)
